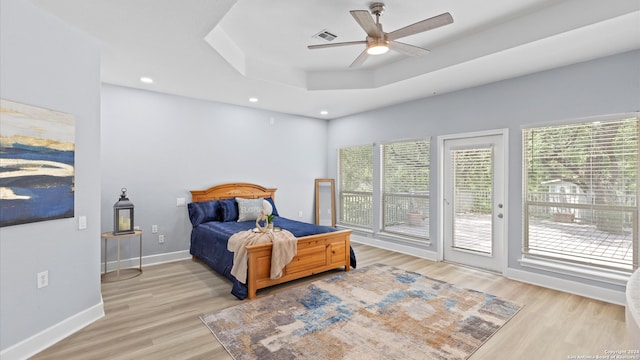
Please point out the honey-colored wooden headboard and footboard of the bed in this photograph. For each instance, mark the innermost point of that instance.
(316, 253)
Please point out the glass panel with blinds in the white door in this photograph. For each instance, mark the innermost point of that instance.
(473, 199)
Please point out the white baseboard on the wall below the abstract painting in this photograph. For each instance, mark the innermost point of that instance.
(48, 337)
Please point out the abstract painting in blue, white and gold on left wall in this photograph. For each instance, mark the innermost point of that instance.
(37, 154)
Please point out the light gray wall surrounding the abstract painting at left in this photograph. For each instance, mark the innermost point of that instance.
(47, 64)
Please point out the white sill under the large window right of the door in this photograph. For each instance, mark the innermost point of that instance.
(610, 276)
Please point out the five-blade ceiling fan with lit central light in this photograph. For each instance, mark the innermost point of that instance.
(379, 42)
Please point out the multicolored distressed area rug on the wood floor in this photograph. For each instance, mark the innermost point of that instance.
(376, 312)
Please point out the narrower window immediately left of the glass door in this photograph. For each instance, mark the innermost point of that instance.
(405, 183)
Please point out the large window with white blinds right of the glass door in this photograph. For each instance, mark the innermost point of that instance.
(581, 194)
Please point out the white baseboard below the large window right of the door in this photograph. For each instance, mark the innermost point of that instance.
(568, 286)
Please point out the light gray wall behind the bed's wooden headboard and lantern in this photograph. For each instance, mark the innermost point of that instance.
(161, 146)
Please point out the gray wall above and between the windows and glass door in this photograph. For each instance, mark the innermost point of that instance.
(606, 86)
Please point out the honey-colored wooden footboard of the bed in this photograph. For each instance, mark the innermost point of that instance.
(316, 254)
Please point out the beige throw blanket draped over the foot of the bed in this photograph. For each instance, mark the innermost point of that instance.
(285, 246)
